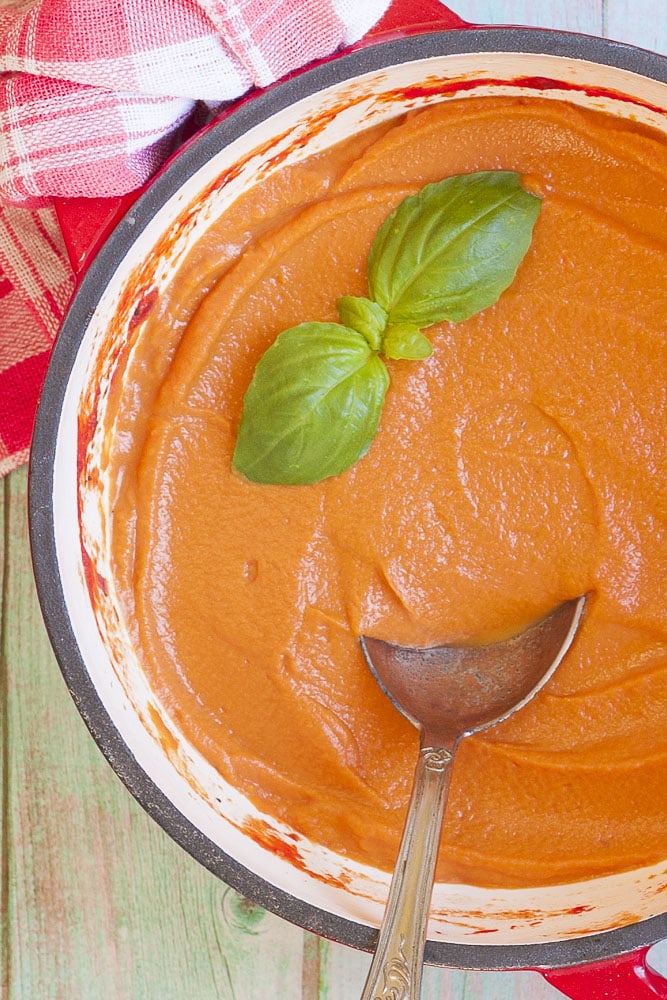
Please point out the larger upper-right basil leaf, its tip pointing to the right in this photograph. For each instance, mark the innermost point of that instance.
(449, 251)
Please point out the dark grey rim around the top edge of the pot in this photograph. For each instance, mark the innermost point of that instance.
(258, 107)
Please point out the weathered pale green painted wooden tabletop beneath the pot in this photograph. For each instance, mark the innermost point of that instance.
(97, 902)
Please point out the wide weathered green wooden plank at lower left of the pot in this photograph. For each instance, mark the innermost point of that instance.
(100, 903)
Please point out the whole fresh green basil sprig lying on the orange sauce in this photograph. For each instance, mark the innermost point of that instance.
(314, 404)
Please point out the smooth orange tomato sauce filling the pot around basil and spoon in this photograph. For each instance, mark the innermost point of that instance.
(522, 464)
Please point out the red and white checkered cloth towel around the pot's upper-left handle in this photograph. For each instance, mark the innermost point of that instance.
(92, 97)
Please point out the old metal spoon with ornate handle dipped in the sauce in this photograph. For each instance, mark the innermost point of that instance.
(448, 692)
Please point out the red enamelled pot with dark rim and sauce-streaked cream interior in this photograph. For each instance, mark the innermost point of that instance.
(589, 939)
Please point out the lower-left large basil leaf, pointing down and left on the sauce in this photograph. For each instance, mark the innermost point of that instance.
(313, 406)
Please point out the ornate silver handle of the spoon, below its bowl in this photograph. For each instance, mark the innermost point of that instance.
(396, 969)
